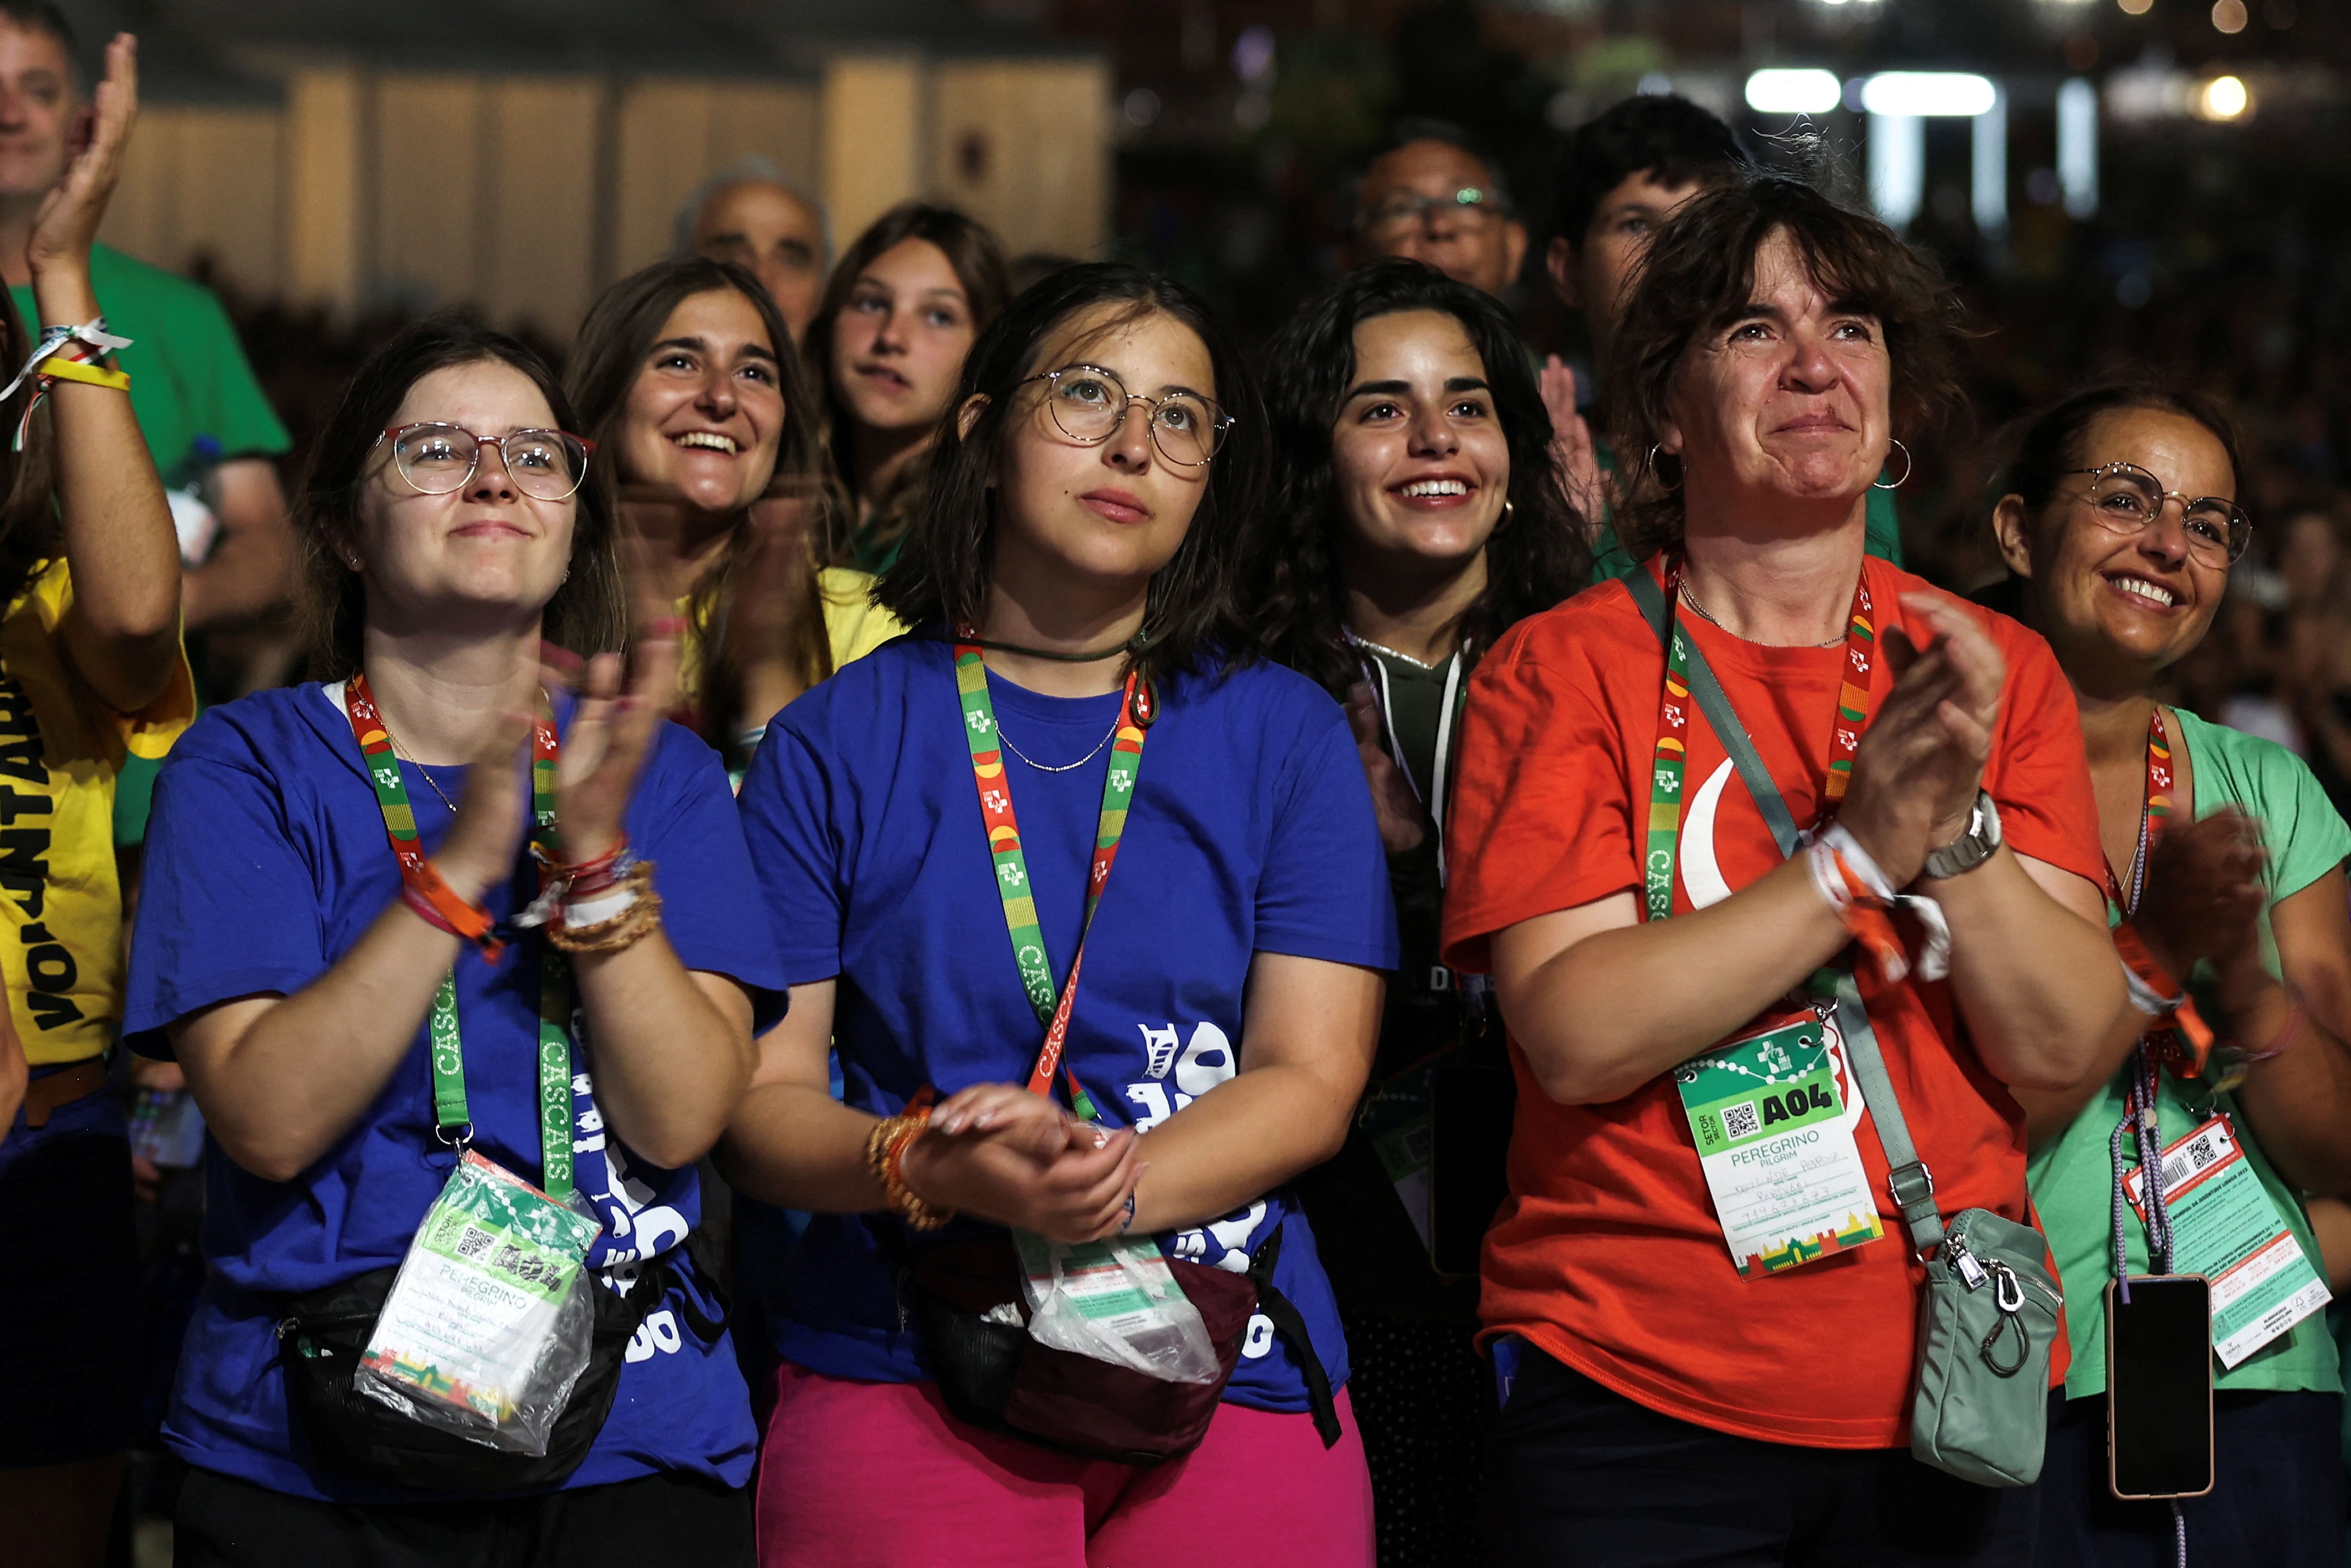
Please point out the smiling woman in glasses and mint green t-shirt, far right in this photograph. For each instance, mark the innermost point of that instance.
(2122, 525)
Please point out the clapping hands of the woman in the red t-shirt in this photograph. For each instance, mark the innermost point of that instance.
(1922, 760)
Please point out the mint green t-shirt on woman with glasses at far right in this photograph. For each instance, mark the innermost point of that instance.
(2072, 1177)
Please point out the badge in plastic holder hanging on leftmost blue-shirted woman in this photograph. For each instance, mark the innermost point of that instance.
(488, 1325)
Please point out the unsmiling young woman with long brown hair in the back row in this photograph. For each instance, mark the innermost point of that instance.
(904, 307)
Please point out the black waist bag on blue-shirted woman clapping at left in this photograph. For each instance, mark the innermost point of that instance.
(326, 1334)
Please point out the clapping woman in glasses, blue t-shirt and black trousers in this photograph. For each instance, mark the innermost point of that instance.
(319, 866)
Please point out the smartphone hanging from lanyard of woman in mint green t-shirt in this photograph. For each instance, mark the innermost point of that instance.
(2159, 1388)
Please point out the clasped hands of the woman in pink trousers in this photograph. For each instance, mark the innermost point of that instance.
(1003, 1153)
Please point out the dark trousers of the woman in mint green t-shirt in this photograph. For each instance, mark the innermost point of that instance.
(2277, 1492)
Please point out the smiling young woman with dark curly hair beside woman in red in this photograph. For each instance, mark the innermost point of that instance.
(1416, 518)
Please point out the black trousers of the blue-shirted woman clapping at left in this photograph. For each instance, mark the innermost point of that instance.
(631, 1525)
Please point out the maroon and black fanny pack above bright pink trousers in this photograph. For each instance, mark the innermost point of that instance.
(967, 1311)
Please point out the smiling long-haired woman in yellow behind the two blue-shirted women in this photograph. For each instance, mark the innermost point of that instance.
(685, 377)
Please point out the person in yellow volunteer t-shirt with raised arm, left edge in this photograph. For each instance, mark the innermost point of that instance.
(91, 671)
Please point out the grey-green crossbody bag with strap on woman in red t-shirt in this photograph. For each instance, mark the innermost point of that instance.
(1988, 1315)
